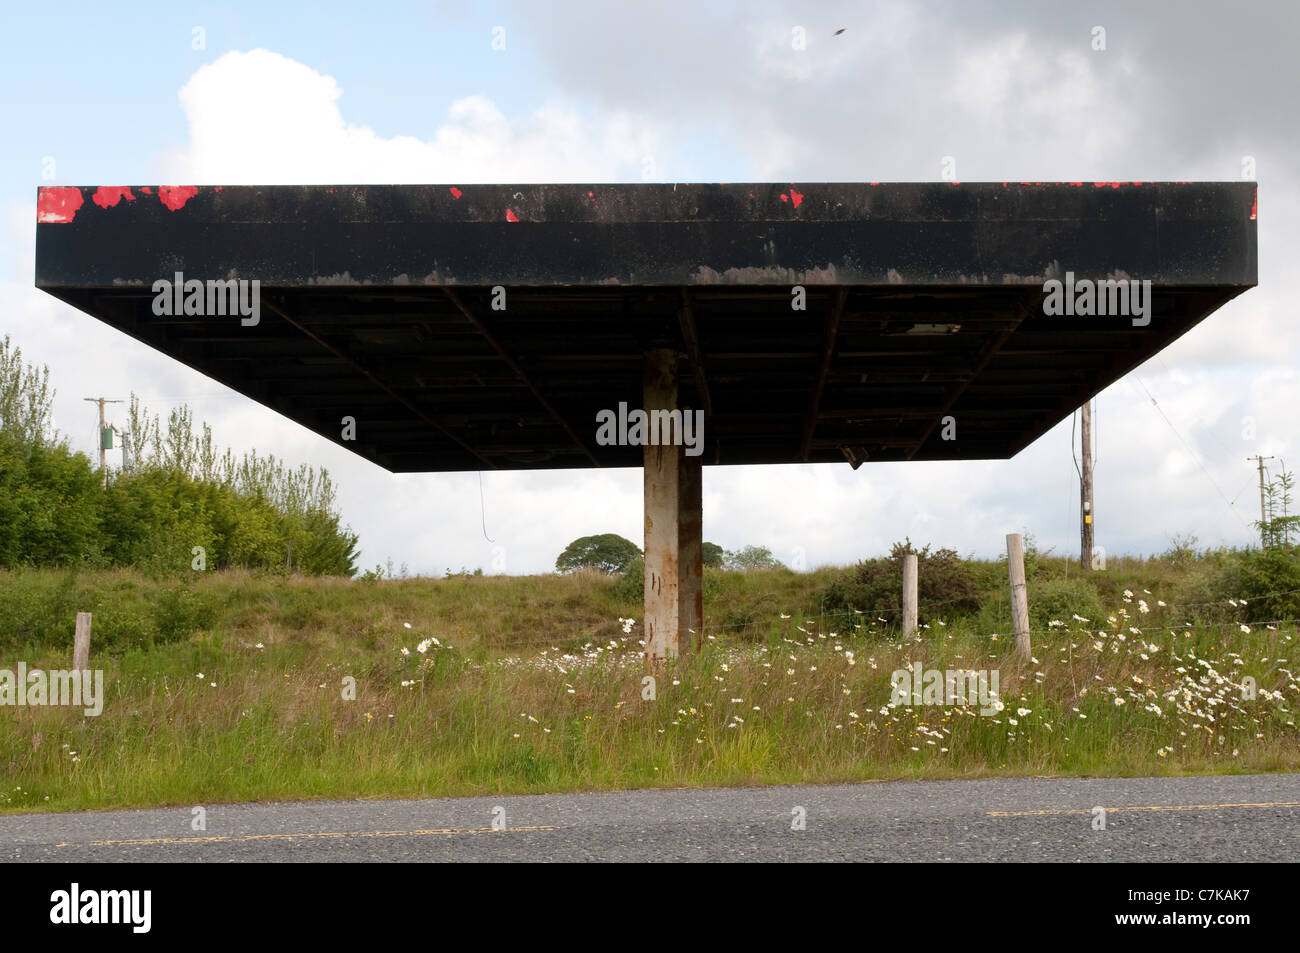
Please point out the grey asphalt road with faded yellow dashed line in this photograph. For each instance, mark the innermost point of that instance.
(1169, 820)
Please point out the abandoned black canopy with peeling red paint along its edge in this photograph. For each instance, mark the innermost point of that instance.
(921, 302)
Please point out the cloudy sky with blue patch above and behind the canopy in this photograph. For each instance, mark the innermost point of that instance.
(596, 92)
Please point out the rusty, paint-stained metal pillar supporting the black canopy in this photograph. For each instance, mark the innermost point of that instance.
(674, 543)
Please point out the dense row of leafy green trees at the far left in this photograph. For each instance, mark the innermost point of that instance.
(175, 495)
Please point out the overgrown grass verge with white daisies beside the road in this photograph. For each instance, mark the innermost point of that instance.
(491, 711)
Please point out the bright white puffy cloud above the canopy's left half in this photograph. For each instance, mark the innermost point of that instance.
(263, 119)
